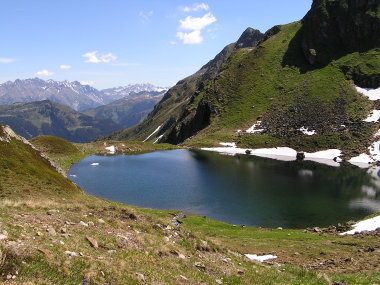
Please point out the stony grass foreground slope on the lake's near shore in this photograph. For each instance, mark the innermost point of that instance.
(131, 241)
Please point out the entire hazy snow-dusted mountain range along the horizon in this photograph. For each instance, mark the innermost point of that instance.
(73, 94)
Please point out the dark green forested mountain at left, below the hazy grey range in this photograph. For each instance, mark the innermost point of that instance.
(50, 118)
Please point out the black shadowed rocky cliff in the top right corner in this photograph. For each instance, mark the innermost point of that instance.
(334, 28)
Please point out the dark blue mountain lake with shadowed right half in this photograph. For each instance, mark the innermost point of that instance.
(239, 190)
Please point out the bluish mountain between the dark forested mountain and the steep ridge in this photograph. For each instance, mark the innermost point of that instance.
(129, 110)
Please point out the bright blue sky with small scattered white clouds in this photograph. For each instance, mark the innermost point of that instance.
(110, 43)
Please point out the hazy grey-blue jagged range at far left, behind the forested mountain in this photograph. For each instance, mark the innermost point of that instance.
(73, 94)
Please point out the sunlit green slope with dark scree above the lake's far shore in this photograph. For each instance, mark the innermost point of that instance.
(259, 84)
